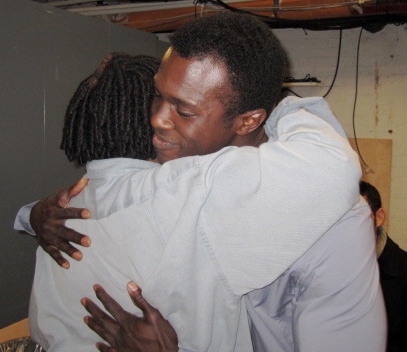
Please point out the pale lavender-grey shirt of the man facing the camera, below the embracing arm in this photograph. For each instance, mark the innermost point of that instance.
(329, 300)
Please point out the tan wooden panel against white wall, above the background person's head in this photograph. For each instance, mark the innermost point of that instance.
(377, 154)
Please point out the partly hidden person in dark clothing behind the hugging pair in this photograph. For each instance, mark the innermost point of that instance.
(393, 272)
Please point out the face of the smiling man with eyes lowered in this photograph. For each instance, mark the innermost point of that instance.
(187, 114)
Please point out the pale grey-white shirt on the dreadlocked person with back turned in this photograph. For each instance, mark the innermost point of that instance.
(196, 233)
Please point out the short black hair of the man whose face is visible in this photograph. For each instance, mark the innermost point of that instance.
(249, 49)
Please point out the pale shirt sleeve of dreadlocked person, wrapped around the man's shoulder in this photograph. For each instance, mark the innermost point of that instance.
(267, 206)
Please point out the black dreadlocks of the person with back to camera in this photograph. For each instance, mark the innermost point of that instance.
(109, 113)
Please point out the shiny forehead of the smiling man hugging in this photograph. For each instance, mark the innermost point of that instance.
(191, 79)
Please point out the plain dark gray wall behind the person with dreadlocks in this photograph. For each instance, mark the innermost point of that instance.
(44, 54)
